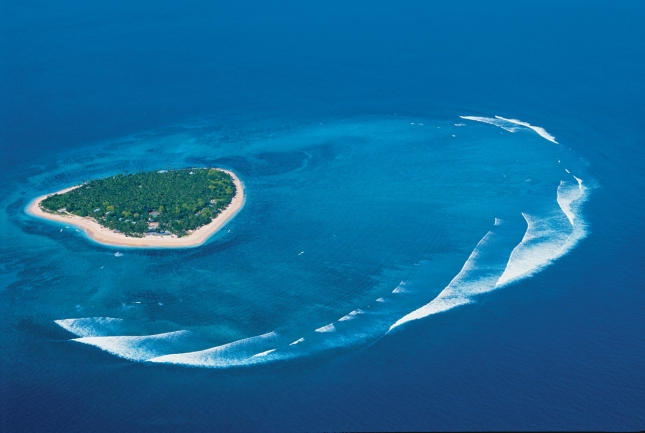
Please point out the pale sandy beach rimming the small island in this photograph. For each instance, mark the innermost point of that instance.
(105, 236)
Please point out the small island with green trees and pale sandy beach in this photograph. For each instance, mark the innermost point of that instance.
(162, 208)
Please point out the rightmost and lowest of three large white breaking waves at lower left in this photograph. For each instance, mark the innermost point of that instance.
(227, 355)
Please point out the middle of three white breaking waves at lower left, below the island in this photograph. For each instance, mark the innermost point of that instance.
(136, 348)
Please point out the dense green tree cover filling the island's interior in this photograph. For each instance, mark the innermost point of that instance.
(174, 201)
